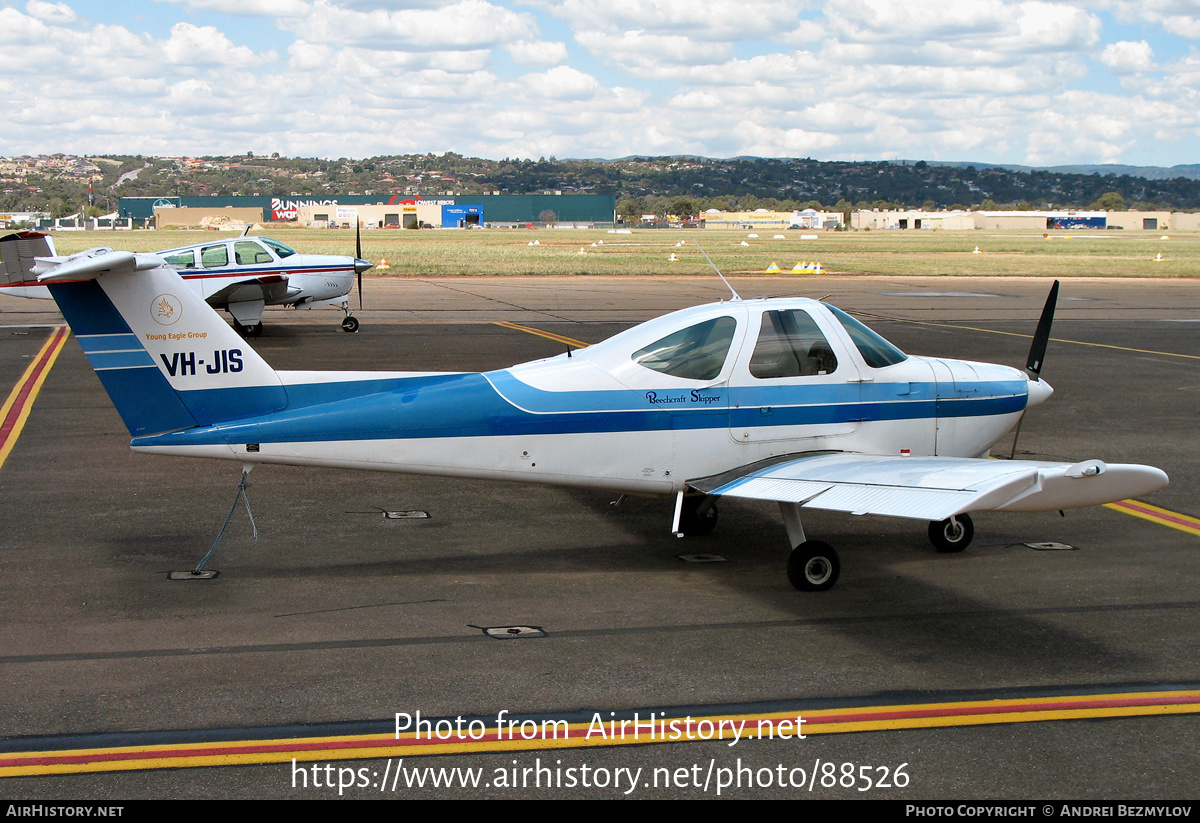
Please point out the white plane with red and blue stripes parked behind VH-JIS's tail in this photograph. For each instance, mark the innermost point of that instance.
(239, 275)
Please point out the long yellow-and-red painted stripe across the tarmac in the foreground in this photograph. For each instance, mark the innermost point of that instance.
(579, 735)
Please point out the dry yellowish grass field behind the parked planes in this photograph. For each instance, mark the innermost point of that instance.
(565, 253)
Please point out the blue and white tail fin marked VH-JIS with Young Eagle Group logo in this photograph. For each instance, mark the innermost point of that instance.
(167, 361)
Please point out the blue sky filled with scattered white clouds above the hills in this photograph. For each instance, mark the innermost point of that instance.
(1031, 82)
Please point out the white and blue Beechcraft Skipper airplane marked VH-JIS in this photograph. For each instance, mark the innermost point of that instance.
(785, 400)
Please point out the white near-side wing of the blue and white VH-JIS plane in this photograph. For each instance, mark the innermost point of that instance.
(932, 489)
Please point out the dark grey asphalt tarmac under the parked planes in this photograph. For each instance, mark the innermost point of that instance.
(338, 615)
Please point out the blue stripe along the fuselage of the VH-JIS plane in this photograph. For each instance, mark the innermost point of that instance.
(451, 406)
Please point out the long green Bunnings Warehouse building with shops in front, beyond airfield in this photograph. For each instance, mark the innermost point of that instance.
(401, 211)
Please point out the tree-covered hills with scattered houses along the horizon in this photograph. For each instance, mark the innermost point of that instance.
(679, 187)
